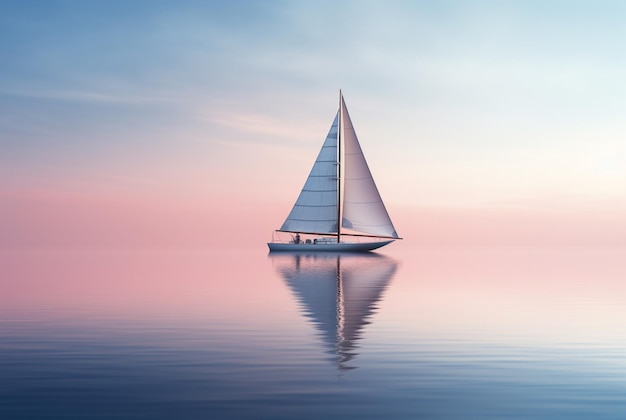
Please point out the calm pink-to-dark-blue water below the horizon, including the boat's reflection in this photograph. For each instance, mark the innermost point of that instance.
(407, 333)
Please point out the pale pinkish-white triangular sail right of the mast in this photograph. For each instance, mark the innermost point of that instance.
(363, 209)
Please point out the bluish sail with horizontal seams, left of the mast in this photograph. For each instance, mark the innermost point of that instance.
(315, 210)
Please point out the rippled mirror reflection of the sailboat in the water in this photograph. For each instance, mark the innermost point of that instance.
(338, 293)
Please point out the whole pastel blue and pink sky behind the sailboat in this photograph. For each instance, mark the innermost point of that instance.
(192, 122)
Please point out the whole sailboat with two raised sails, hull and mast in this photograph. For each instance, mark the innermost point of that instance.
(339, 199)
